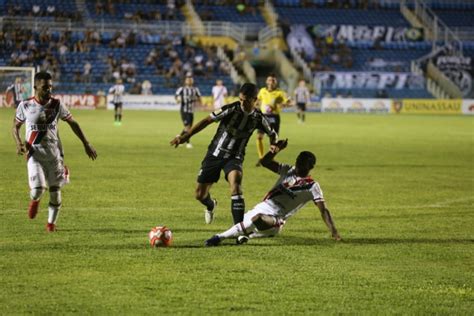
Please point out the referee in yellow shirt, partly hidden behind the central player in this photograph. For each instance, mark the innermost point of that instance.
(270, 99)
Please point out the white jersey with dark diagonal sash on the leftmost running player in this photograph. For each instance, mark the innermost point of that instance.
(41, 122)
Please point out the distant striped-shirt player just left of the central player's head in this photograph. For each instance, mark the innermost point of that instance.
(188, 97)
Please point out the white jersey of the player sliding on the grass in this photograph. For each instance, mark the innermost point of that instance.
(290, 192)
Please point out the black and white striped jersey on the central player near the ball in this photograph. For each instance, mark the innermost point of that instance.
(234, 131)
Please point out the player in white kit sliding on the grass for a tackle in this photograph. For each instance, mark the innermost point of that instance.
(293, 189)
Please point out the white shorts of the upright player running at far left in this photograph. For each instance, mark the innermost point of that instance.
(45, 173)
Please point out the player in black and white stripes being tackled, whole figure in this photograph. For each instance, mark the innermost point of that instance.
(226, 151)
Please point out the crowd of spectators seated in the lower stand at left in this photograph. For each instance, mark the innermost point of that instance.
(172, 57)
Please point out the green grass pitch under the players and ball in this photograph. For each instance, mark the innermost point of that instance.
(400, 189)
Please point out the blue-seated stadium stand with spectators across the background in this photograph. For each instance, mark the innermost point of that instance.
(89, 60)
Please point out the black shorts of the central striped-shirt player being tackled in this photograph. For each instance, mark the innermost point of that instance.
(211, 167)
